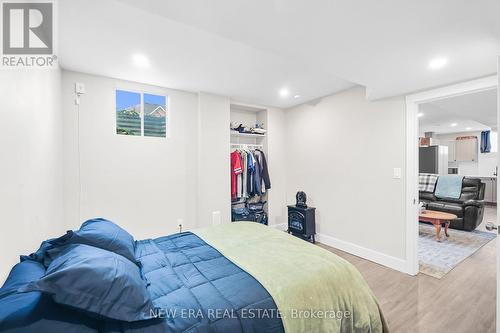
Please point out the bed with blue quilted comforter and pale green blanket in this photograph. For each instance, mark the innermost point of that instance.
(239, 277)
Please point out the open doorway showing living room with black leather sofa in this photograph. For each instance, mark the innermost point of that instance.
(457, 179)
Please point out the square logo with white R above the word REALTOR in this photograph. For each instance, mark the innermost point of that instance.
(27, 28)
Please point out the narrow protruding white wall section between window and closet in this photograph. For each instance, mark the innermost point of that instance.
(214, 192)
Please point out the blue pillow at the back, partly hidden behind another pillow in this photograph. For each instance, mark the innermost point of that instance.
(104, 234)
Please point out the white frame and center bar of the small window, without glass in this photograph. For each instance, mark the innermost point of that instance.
(141, 93)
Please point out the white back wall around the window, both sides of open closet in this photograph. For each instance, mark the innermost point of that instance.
(147, 184)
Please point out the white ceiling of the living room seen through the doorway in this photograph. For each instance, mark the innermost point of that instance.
(471, 112)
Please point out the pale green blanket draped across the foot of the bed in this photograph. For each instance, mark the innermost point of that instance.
(314, 289)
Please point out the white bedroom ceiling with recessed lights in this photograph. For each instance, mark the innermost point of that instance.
(249, 50)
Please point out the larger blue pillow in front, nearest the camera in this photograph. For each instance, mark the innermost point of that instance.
(96, 281)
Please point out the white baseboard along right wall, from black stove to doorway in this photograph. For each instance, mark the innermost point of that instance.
(377, 257)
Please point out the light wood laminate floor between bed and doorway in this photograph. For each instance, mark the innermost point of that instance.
(464, 300)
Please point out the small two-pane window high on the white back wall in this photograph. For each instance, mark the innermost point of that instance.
(141, 114)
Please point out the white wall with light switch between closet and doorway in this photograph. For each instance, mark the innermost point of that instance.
(342, 152)
